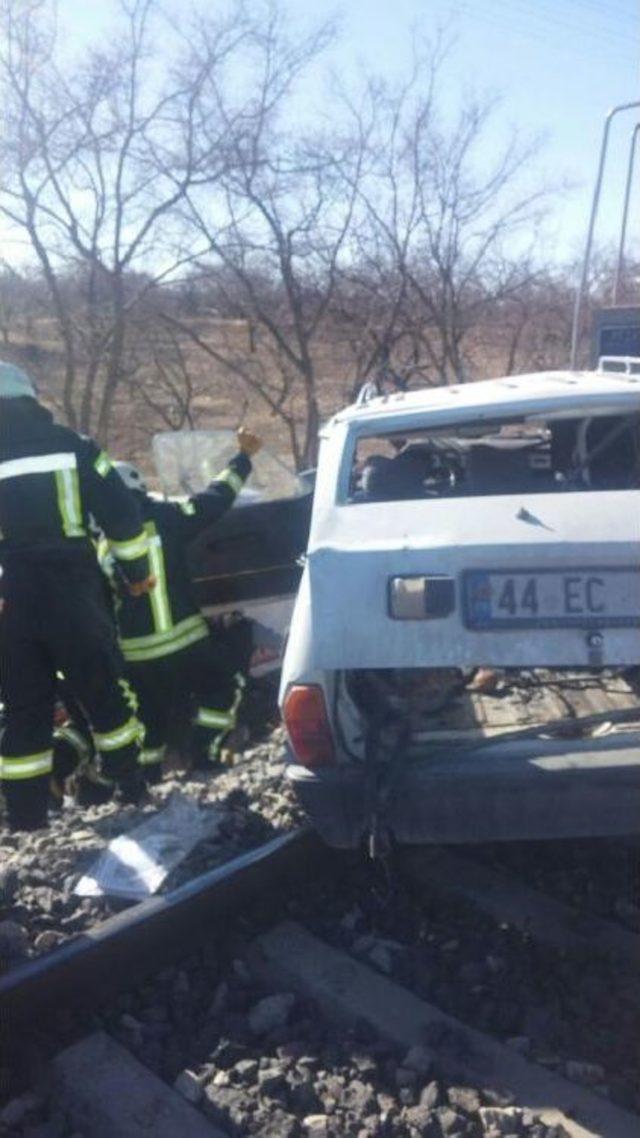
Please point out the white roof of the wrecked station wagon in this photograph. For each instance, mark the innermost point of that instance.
(553, 391)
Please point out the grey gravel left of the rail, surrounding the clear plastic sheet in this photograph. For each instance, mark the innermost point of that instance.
(39, 872)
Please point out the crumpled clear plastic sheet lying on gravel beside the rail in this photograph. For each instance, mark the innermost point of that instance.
(136, 864)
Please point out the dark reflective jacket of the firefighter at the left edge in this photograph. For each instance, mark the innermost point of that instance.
(52, 481)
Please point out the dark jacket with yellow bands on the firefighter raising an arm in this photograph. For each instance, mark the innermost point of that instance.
(169, 620)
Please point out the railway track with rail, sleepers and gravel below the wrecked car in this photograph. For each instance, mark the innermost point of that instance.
(425, 936)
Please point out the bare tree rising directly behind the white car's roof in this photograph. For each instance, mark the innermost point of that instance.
(448, 226)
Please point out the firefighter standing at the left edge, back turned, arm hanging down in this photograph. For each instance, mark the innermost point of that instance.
(54, 617)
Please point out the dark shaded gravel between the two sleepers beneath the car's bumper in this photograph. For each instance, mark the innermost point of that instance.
(573, 1012)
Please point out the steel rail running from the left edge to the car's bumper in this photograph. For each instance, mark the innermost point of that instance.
(125, 950)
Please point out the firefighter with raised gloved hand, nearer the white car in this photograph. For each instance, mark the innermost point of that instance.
(166, 641)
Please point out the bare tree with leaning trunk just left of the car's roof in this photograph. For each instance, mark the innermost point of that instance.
(289, 211)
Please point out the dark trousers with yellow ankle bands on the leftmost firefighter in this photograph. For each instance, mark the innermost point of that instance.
(55, 621)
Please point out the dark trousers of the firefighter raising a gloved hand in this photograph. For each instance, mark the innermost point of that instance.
(198, 683)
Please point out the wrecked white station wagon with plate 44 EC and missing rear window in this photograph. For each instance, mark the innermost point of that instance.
(463, 658)
